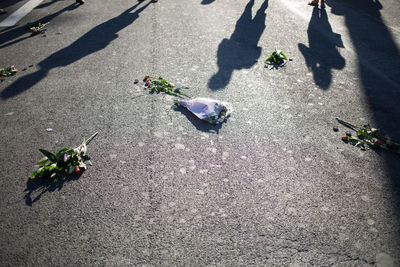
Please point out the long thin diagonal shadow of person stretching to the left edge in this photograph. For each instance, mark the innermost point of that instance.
(96, 39)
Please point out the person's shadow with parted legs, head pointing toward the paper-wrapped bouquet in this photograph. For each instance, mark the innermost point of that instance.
(240, 50)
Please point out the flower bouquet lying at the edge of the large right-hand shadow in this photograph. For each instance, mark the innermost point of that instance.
(368, 137)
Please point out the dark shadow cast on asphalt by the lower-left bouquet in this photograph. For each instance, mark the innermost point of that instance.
(40, 186)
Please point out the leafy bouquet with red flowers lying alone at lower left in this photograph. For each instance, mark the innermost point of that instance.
(66, 161)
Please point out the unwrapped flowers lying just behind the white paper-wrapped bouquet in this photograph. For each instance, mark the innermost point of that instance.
(162, 85)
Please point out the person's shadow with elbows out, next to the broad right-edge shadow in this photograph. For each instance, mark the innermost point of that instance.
(322, 54)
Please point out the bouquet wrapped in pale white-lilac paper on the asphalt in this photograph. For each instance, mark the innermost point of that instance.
(212, 111)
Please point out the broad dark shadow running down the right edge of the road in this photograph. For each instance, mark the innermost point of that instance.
(379, 73)
